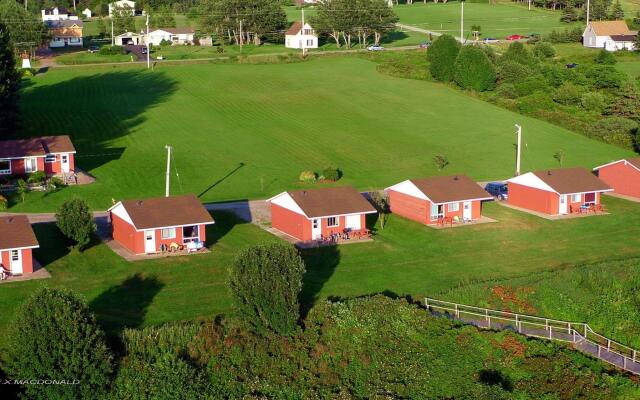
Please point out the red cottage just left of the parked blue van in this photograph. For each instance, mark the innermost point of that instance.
(438, 199)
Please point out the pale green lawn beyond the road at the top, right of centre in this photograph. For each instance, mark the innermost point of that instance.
(499, 20)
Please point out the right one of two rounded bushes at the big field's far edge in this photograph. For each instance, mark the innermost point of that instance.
(473, 70)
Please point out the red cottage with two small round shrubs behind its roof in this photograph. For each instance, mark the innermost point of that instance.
(318, 213)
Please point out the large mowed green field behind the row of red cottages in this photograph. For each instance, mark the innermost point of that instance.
(247, 131)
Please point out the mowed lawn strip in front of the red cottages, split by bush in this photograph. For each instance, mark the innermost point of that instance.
(405, 258)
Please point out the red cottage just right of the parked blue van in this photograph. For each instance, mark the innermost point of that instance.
(556, 191)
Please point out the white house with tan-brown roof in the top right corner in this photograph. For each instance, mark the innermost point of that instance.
(608, 35)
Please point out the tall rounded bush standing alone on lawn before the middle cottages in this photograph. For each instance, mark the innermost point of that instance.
(265, 283)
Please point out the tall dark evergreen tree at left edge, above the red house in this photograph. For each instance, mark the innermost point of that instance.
(9, 84)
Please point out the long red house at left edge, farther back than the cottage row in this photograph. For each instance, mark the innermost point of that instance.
(54, 155)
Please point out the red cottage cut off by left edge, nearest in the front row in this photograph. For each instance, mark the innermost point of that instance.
(17, 240)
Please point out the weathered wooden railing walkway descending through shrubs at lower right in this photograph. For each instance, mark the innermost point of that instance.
(581, 336)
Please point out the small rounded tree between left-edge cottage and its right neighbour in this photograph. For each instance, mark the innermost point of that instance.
(76, 222)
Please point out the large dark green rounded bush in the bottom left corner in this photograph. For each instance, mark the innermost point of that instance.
(54, 336)
